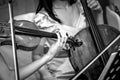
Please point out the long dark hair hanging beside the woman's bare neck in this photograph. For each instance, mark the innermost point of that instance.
(47, 5)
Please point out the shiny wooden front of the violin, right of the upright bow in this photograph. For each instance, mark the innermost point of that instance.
(28, 41)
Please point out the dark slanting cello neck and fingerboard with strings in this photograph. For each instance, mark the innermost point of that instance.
(95, 32)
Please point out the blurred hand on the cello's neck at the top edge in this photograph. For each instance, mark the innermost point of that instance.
(94, 5)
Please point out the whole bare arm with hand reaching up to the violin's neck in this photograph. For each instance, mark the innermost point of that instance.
(31, 68)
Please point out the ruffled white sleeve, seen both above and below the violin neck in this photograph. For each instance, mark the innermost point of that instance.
(45, 23)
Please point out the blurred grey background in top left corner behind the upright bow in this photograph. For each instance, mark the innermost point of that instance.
(19, 7)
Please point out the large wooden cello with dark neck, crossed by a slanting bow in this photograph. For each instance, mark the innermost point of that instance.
(95, 38)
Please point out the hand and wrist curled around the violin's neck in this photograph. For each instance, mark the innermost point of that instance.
(55, 48)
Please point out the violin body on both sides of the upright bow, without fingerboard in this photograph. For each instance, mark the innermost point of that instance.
(23, 41)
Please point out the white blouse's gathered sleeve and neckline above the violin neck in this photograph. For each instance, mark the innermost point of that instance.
(45, 22)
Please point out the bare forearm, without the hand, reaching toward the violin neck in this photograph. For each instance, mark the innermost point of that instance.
(34, 66)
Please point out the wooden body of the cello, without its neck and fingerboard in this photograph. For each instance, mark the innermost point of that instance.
(82, 55)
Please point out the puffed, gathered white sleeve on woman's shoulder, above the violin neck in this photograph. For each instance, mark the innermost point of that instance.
(45, 22)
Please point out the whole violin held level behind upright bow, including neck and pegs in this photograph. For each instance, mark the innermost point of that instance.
(27, 35)
